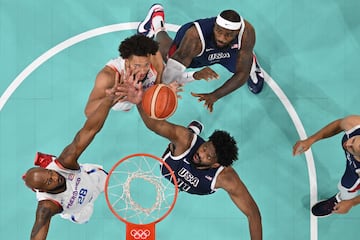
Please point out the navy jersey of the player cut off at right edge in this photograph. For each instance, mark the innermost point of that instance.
(351, 176)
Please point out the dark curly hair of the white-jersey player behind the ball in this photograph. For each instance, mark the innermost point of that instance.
(138, 45)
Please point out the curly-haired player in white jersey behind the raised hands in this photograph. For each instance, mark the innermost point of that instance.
(137, 53)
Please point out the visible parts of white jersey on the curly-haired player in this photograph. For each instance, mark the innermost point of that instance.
(118, 64)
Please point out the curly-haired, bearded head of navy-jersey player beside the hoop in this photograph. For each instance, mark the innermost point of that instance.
(221, 149)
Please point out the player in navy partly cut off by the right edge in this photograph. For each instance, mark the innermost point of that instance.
(349, 185)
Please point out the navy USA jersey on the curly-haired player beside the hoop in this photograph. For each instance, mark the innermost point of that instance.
(189, 178)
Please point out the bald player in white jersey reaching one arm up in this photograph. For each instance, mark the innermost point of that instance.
(63, 185)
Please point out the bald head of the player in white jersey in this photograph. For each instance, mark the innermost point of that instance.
(44, 180)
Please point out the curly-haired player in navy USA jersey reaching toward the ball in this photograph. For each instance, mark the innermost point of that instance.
(201, 166)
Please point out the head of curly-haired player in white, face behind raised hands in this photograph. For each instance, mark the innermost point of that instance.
(137, 51)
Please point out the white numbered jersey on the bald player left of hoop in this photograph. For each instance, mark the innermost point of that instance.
(83, 186)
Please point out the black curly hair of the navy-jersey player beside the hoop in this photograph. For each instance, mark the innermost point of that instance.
(225, 147)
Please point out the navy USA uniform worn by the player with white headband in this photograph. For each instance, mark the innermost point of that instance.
(210, 53)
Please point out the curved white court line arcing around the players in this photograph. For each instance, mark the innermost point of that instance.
(171, 27)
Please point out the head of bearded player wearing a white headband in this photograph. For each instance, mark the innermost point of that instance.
(227, 26)
